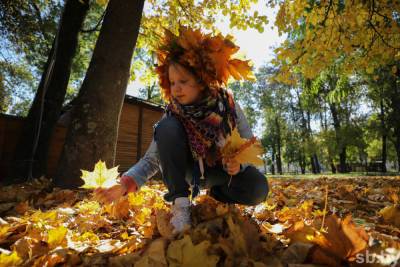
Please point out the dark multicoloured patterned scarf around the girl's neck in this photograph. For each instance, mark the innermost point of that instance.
(206, 123)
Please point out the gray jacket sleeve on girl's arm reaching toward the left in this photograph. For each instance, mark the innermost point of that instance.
(146, 167)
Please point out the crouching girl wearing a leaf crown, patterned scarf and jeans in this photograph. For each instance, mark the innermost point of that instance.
(200, 115)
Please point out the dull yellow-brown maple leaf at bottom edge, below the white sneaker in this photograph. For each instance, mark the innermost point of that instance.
(184, 253)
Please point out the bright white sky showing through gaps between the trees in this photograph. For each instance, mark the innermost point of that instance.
(257, 47)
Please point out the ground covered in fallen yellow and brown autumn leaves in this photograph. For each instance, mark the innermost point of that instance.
(319, 222)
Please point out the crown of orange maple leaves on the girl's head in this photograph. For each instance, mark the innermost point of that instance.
(208, 57)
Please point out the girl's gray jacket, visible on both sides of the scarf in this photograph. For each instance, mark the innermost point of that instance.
(149, 164)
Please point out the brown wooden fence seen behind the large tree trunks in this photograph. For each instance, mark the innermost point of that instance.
(134, 136)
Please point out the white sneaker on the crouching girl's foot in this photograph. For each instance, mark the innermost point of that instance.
(180, 215)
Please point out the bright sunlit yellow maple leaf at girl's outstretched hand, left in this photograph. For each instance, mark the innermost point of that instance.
(100, 176)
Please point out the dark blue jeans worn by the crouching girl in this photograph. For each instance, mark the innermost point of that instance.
(248, 187)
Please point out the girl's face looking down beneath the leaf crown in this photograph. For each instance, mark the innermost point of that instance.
(184, 87)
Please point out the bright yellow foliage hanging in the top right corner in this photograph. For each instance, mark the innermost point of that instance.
(363, 40)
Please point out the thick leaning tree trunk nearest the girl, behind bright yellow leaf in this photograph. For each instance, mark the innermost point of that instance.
(93, 131)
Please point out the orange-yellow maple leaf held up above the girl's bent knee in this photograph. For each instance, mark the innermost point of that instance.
(242, 150)
